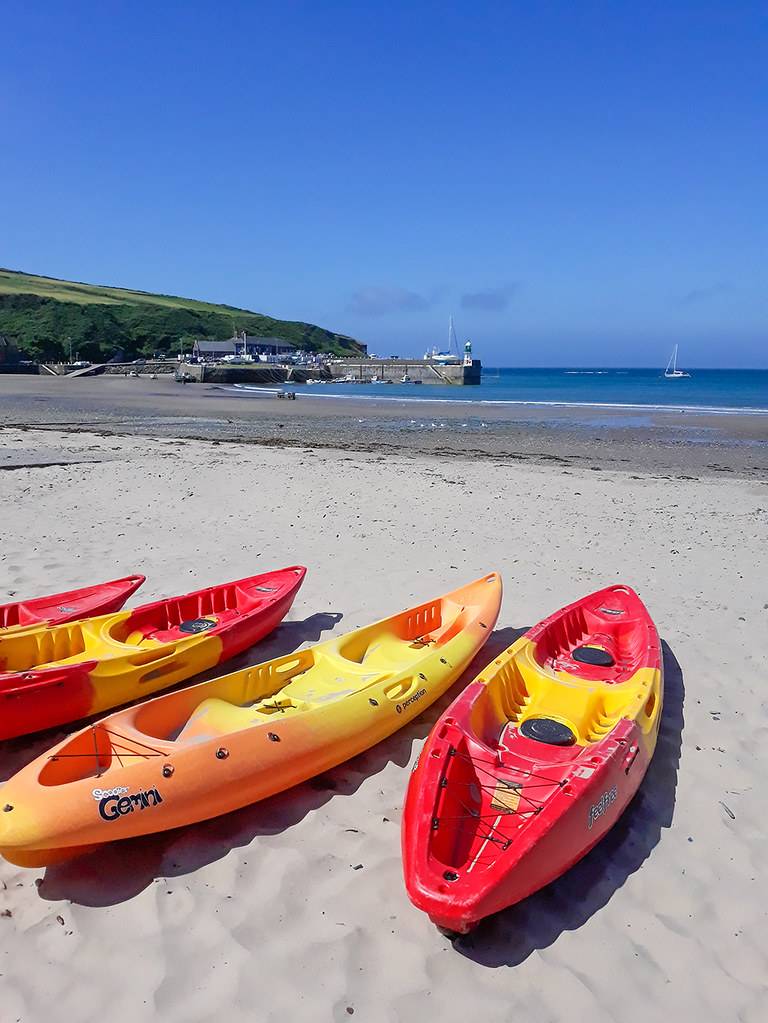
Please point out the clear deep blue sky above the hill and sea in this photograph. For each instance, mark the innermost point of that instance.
(576, 183)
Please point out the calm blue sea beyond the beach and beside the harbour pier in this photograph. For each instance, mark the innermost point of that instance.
(715, 390)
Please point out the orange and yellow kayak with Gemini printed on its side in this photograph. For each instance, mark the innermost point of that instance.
(221, 745)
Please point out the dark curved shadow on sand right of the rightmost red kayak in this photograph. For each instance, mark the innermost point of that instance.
(510, 938)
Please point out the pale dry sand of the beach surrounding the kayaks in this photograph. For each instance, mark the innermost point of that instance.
(263, 915)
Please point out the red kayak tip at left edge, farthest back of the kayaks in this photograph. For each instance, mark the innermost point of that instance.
(69, 607)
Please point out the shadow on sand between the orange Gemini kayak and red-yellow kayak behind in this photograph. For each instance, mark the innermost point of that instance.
(17, 753)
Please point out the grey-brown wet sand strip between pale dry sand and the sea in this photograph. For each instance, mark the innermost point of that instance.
(655, 442)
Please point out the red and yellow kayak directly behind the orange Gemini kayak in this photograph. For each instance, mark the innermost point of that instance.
(54, 675)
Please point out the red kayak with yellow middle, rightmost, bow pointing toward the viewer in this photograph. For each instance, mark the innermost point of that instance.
(535, 762)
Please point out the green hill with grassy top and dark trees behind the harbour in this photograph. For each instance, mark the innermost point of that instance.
(41, 315)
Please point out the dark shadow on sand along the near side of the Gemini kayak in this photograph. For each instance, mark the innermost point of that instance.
(122, 870)
